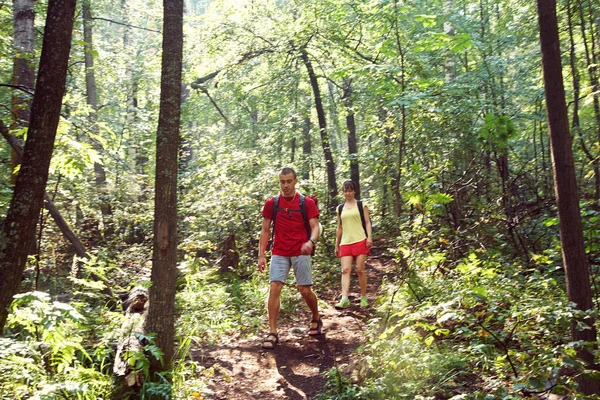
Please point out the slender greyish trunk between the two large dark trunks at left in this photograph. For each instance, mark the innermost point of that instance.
(92, 101)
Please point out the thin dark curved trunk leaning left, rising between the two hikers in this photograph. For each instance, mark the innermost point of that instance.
(331, 181)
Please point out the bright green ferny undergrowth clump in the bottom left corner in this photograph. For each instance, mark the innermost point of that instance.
(47, 353)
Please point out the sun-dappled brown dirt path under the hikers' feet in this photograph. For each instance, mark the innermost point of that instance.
(296, 368)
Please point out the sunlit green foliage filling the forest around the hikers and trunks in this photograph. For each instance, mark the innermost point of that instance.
(481, 310)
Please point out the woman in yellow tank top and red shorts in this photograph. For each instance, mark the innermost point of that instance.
(353, 240)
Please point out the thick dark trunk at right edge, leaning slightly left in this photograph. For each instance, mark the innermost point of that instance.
(571, 232)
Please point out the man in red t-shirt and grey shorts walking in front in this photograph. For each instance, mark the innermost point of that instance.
(292, 247)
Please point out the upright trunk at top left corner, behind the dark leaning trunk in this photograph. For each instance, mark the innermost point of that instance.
(23, 68)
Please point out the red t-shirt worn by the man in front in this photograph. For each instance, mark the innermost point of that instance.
(290, 233)
